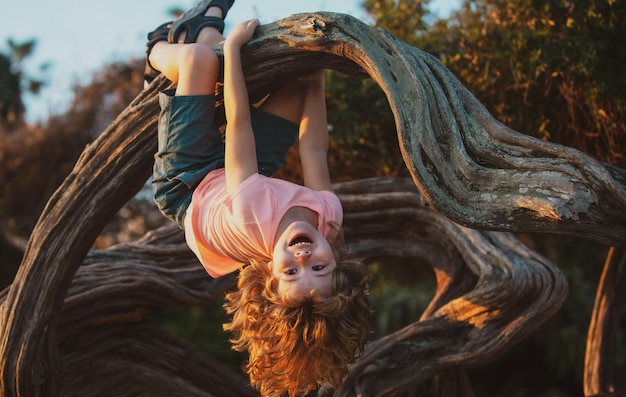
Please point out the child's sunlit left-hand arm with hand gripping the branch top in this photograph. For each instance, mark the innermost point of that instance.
(240, 152)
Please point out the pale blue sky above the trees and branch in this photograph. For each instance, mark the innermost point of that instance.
(83, 36)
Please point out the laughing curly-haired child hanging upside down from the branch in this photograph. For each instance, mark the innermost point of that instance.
(301, 308)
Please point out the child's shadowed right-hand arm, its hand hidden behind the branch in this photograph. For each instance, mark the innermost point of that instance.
(314, 135)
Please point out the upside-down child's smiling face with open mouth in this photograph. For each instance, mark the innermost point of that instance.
(303, 261)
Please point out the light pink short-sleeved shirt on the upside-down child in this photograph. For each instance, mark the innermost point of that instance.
(225, 231)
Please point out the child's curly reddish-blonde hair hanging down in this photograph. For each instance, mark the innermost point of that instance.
(295, 347)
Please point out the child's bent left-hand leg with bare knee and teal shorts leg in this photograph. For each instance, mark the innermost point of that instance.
(189, 143)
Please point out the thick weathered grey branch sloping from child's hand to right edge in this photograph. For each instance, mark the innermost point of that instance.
(467, 165)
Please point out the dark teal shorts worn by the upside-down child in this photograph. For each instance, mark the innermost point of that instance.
(191, 145)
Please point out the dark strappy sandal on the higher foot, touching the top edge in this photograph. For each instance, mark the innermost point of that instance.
(194, 20)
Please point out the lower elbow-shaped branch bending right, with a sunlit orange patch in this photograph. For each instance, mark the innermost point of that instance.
(513, 291)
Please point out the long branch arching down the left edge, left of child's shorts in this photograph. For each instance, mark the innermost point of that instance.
(109, 172)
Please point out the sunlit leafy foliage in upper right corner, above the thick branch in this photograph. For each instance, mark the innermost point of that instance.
(549, 68)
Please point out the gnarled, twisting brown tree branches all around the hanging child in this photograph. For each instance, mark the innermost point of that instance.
(77, 330)
